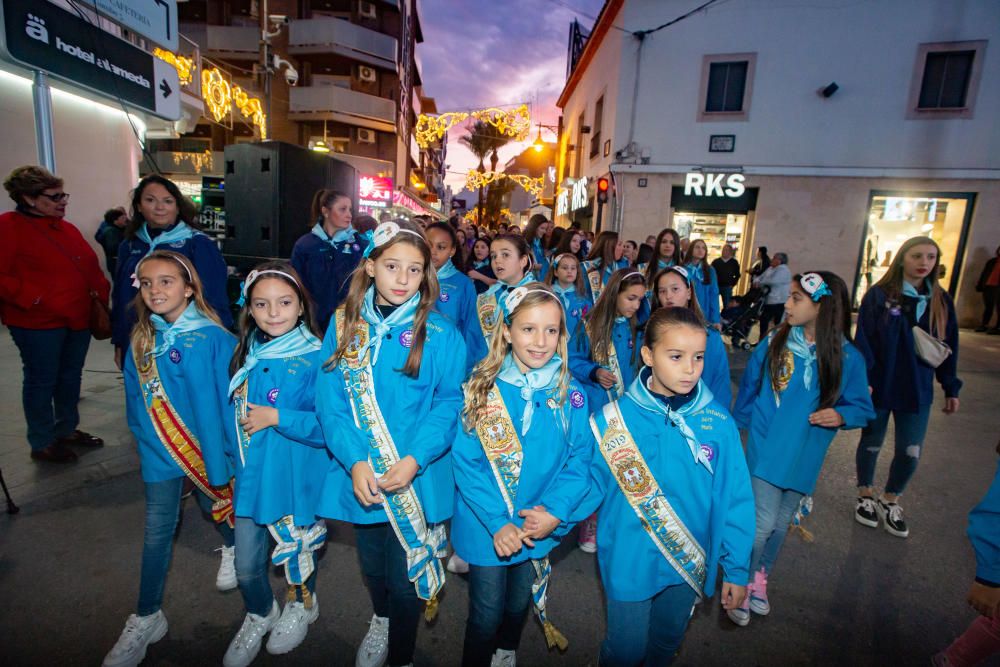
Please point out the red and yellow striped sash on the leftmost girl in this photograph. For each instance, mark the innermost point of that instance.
(178, 439)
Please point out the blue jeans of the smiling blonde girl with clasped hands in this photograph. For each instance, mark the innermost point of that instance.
(499, 601)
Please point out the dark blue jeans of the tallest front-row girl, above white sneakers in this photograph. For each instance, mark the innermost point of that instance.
(383, 564)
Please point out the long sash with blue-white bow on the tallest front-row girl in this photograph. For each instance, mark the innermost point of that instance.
(424, 544)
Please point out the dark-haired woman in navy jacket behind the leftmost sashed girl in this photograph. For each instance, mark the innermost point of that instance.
(163, 218)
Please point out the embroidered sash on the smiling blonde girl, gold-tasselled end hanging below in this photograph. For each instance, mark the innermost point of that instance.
(503, 450)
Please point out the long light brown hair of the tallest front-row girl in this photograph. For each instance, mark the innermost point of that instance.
(361, 281)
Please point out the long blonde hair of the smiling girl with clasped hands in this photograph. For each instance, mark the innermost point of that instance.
(485, 373)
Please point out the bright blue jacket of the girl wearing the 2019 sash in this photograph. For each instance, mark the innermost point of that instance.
(716, 505)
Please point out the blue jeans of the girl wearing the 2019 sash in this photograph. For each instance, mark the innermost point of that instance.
(650, 630)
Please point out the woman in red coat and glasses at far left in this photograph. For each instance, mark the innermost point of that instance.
(47, 272)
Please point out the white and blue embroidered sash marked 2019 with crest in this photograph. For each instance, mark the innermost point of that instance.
(643, 493)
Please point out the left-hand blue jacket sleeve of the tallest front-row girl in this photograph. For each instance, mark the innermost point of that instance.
(336, 417)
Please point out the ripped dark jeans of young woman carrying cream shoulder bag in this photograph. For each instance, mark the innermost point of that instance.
(911, 427)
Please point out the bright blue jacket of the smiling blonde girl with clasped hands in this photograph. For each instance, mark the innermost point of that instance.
(555, 473)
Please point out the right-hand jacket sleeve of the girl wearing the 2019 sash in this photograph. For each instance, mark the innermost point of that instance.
(739, 514)
